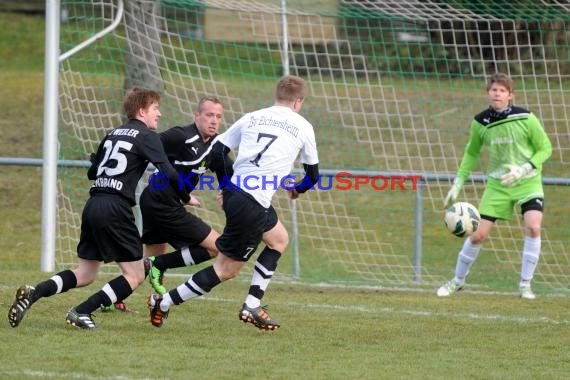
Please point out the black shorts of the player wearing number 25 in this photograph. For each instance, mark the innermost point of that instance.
(108, 230)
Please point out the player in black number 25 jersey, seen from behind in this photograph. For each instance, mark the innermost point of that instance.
(108, 230)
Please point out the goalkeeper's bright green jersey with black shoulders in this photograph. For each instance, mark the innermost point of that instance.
(514, 136)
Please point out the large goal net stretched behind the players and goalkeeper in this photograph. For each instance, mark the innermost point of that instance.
(393, 86)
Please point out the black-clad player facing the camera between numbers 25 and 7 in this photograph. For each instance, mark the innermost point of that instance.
(165, 220)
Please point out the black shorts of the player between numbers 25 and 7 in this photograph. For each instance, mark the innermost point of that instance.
(165, 220)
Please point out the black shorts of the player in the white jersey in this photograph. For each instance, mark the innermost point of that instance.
(246, 221)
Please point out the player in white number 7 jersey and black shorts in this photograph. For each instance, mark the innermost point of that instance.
(269, 141)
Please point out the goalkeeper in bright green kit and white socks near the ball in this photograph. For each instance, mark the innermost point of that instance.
(517, 147)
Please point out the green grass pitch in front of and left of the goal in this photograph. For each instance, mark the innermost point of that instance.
(327, 332)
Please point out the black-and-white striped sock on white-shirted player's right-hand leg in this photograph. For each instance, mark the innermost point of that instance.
(262, 273)
